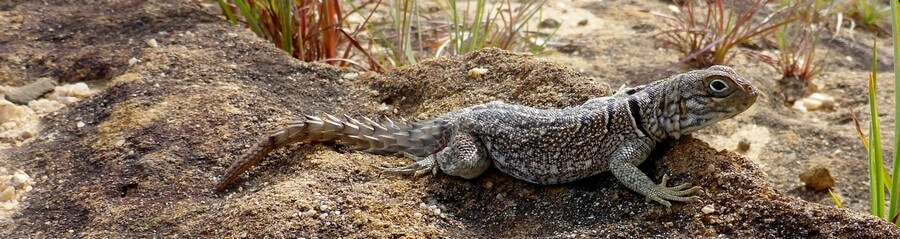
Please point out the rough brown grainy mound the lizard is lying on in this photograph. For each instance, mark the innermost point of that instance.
(141, 156)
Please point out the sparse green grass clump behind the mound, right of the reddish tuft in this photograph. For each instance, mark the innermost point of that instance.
(467, 26)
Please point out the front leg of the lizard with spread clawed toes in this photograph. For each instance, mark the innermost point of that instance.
(623, 166)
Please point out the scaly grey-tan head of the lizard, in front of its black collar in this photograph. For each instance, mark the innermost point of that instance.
(705, 97)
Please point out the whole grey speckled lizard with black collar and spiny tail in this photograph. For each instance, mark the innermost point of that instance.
(543, 146)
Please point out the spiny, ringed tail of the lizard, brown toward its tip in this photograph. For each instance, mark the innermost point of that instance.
(385, 138)
